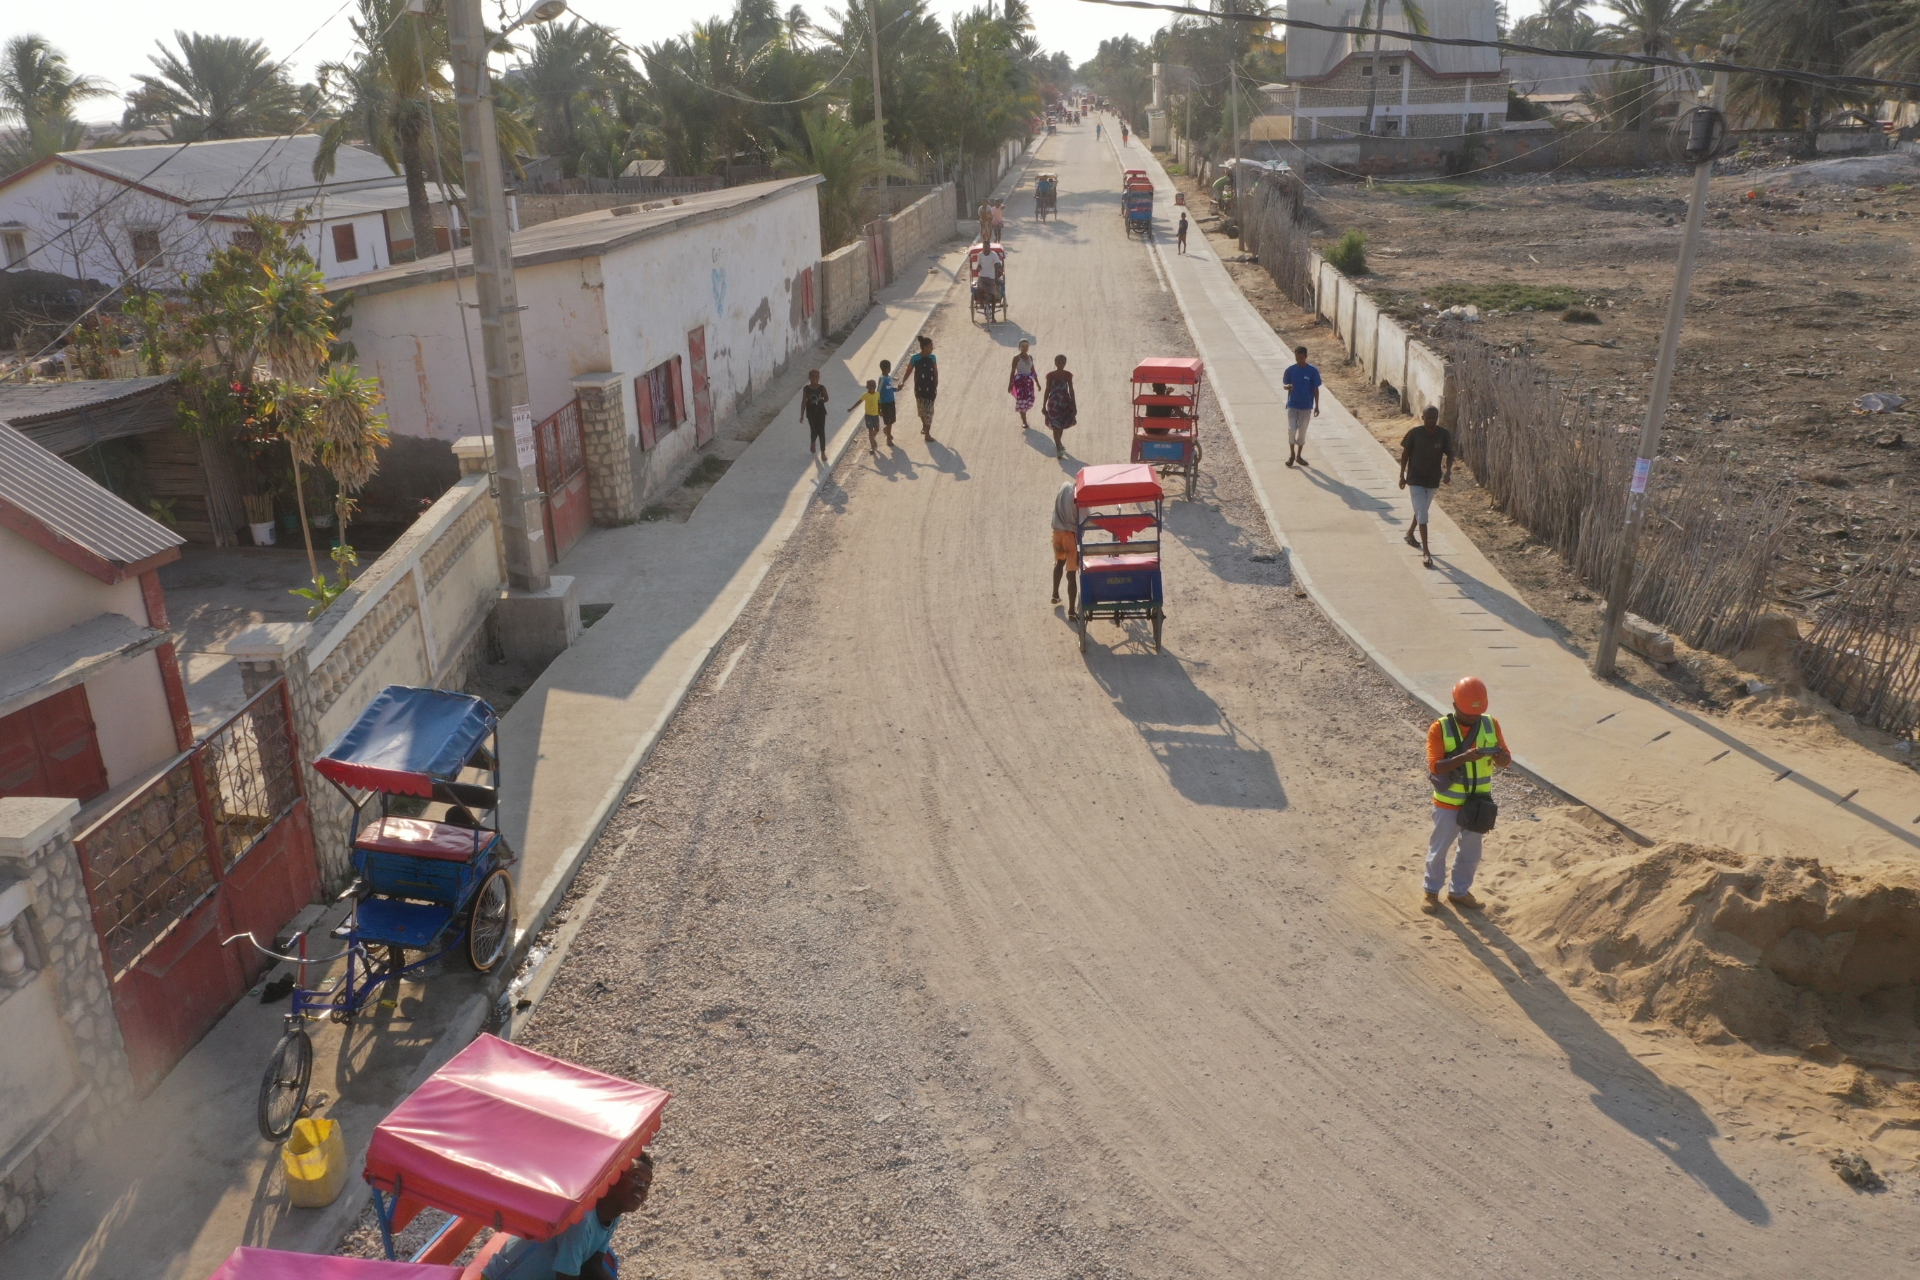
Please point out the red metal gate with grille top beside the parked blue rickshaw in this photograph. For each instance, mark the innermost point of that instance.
(218, 845)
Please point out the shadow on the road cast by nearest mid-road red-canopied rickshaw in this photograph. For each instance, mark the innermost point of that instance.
(1207, 757)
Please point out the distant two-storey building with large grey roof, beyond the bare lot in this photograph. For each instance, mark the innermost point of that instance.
(1426, 91)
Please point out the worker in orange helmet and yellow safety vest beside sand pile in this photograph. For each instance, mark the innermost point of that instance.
(1462, 753)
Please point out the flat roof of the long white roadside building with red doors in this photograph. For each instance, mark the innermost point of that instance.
(585, 235)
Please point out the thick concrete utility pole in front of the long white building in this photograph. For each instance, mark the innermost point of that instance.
(521, 527)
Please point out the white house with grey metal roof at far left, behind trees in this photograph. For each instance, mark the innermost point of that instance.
(158, 212)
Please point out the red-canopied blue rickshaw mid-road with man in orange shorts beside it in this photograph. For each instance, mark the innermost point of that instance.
(1122, 511)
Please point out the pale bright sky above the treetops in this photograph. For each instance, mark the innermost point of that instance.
(112, 39)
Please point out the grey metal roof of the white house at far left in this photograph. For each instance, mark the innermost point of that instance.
(208, 172)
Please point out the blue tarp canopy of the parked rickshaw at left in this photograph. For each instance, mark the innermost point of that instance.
(408, 740)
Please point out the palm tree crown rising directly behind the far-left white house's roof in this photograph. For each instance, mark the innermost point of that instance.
(216, 87)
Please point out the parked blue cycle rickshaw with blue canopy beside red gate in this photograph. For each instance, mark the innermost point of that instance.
(431, 868)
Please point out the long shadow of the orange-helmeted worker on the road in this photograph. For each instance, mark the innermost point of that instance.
(1625, 1091)
